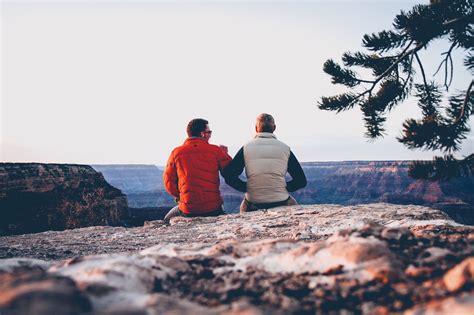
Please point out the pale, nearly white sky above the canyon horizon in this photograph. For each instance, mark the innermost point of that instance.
(116, 82)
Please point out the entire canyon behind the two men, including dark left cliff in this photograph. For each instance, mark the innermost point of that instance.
(35, 197)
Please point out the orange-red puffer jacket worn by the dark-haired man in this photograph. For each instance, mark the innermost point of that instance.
(192, 175)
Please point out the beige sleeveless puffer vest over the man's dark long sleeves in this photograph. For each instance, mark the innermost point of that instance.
(266, 164)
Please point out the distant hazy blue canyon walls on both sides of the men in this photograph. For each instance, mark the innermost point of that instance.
(349, 182)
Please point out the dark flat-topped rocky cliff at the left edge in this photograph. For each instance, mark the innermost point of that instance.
(36, 197)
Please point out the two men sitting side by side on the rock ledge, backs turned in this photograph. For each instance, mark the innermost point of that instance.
(192, 171)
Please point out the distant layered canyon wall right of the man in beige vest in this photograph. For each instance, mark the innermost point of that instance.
(355, 182)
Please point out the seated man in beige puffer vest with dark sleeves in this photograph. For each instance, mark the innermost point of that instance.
(266, 161)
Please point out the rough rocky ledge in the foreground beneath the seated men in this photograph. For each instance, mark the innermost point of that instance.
(367, 259)
